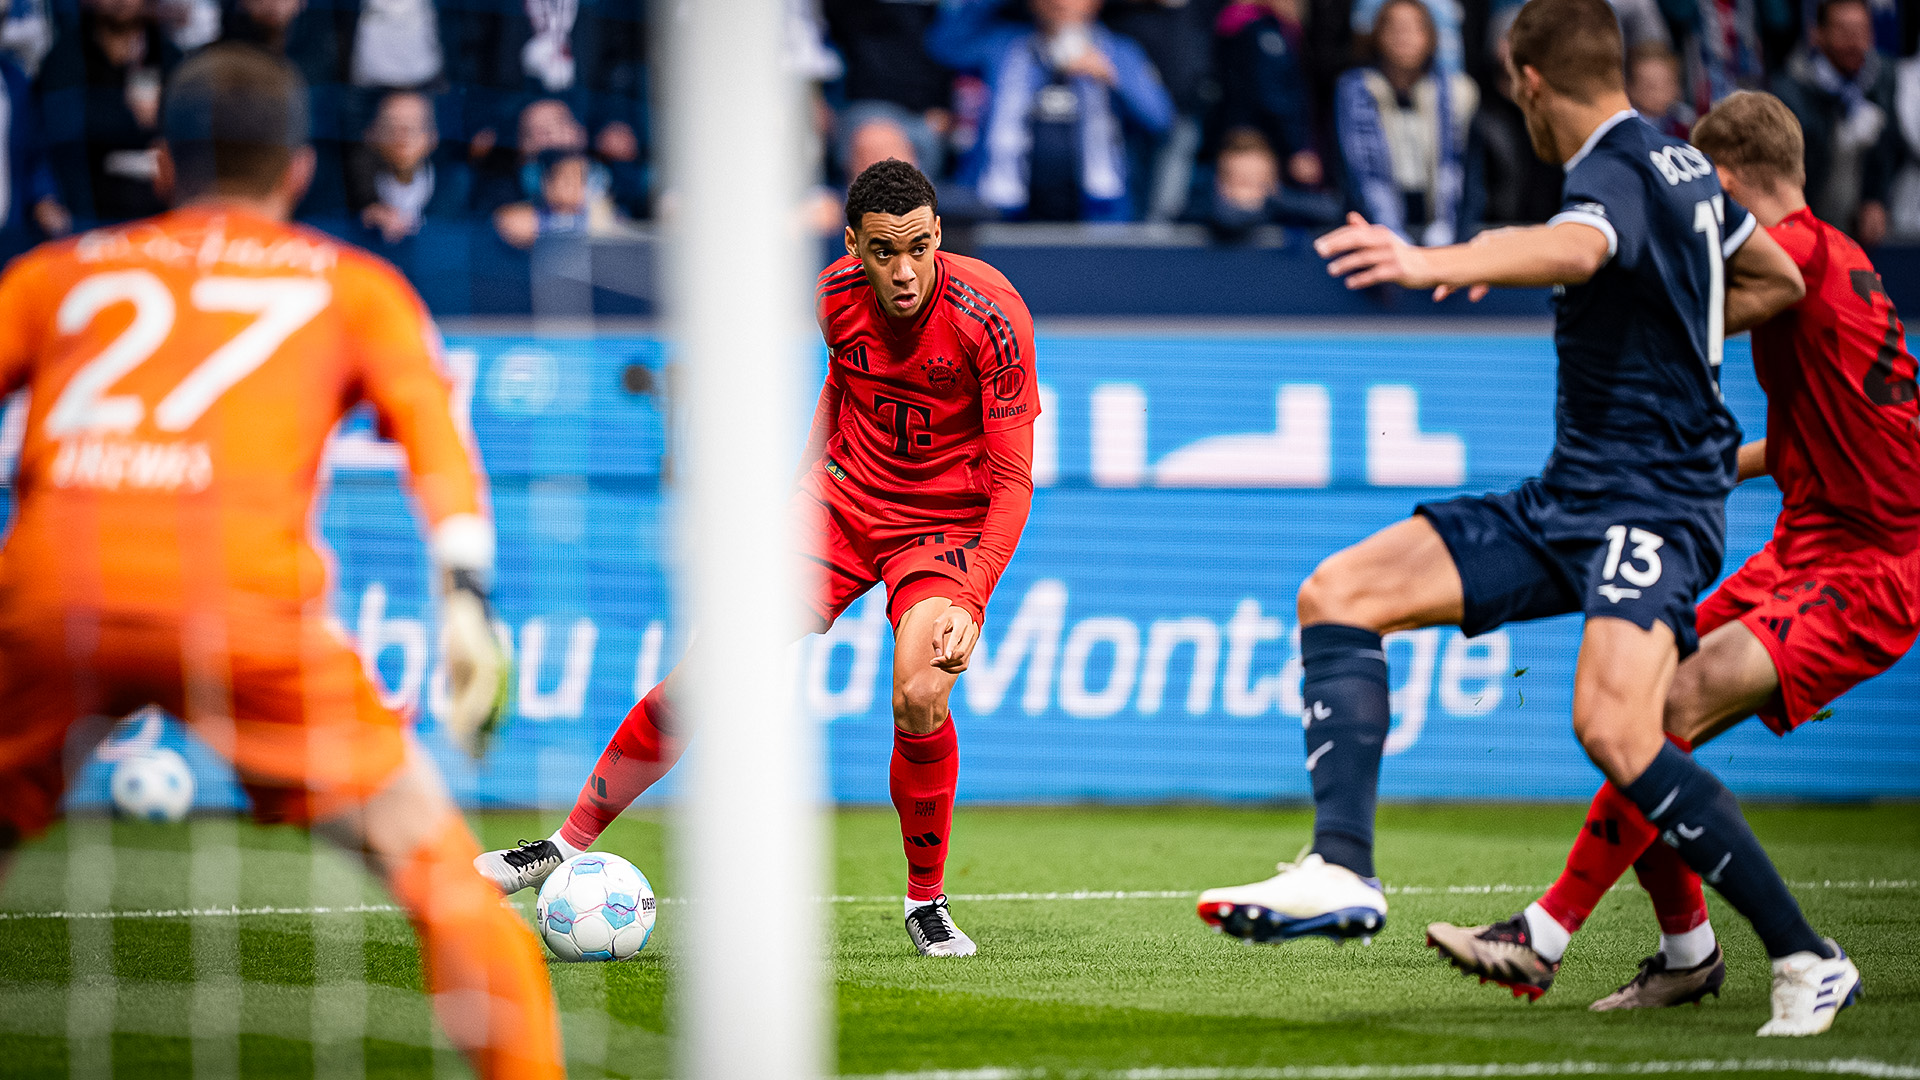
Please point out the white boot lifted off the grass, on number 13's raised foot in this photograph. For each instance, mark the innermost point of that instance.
(1310, 896)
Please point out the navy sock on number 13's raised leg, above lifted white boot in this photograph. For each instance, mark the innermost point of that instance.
(1347, 720)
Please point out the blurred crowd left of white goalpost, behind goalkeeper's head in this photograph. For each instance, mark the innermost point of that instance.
(529, 114)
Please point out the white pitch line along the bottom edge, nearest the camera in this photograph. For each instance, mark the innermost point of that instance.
(1443, 1071)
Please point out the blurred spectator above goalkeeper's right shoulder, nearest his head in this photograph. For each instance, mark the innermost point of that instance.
(396, 178)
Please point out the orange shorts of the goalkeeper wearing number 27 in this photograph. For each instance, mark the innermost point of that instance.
(281, 697)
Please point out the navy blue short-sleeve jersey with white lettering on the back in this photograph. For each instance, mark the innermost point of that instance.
(1641, 412)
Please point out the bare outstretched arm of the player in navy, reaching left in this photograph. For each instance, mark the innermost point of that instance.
(1537, 257)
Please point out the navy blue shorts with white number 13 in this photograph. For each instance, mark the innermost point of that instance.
(1537, 552)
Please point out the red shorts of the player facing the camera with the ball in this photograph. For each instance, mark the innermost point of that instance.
(861, 543)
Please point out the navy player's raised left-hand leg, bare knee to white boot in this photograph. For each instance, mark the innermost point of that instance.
(1397, 579)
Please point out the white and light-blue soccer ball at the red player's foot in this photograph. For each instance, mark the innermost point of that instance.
(596, 908)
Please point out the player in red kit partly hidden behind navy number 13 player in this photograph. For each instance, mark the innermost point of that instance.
(1833, 601)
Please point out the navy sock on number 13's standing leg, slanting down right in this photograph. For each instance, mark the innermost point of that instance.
(1700, 818)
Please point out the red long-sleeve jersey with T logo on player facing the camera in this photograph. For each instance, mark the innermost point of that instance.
(932, 418)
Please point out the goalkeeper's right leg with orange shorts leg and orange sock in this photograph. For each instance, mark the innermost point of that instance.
(314, 745)
